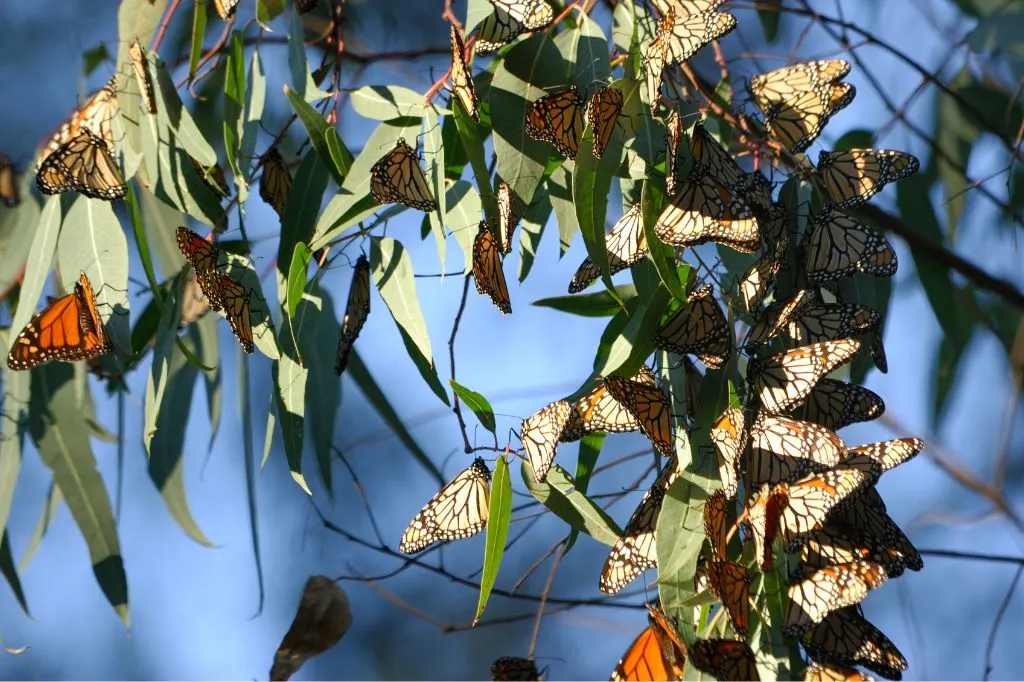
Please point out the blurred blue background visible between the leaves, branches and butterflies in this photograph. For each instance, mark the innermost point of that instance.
(195, 611)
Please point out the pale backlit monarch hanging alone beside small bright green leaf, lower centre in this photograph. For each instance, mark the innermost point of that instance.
(459, 510)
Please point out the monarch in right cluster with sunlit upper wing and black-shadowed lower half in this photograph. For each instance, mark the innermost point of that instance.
(785, 450)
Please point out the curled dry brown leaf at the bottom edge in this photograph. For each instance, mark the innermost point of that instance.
(323, 619)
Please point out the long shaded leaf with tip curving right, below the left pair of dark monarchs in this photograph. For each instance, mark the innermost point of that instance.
(166, 449)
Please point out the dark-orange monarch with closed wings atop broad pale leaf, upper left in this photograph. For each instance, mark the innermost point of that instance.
(84, 165)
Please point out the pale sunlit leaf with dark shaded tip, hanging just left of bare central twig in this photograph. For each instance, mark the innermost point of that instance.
(393, 273)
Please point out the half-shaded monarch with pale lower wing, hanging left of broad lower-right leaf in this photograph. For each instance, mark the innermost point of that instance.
(636, 550)
